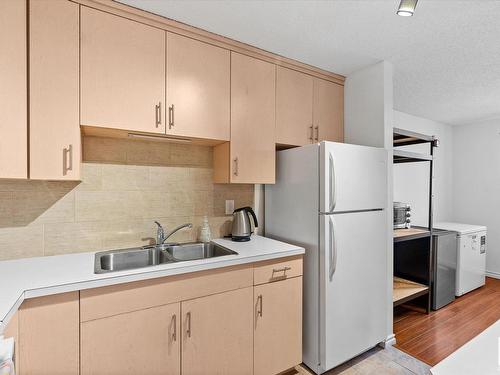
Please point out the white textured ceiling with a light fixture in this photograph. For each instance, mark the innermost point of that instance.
(446, 57)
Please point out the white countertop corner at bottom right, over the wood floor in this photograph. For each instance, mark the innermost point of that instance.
(480, 356)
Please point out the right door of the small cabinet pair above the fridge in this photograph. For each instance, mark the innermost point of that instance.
(328, 111)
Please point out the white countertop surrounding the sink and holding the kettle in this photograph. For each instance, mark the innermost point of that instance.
(34, 277)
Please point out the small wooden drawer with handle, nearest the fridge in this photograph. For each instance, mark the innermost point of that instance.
(269, 271)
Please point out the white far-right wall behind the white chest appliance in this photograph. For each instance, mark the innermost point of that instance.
(476, 188)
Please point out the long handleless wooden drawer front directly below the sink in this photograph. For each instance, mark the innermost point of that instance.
(117, 299)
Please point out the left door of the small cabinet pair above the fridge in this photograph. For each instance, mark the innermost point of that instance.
(294, 97)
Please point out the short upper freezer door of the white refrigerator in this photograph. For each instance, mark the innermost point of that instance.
(352, 177)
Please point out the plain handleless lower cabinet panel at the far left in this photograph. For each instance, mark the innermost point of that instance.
(49, 335)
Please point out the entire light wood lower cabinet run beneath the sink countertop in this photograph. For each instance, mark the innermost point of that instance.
(230, 327)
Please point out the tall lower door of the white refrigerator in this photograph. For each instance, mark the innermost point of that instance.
(353, 285)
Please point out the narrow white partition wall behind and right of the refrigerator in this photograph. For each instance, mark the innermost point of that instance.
(368, 120)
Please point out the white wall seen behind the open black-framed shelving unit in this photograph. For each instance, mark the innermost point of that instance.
(411, 180)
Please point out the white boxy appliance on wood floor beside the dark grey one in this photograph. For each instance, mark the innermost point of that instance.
(471, 255)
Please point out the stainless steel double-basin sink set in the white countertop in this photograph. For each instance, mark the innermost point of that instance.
(147, 256)
